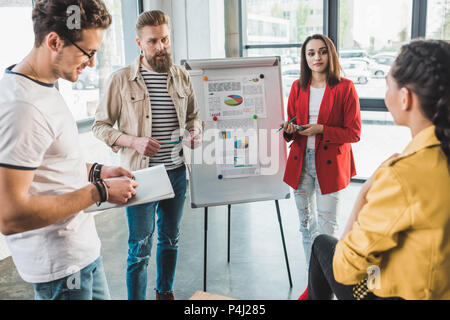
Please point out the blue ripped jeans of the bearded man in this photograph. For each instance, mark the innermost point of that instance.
(141, 224)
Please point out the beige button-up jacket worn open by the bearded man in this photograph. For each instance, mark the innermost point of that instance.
(127, 104)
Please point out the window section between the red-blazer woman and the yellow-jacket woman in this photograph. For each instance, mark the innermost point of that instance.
(370, 37)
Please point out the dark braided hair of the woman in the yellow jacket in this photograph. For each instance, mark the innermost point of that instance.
(423, 66)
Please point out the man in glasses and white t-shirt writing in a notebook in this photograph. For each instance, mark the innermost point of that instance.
(44, 183)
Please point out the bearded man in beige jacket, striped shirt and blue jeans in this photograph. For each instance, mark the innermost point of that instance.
(154, 105)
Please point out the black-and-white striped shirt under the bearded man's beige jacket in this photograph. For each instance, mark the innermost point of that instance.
(165, 127)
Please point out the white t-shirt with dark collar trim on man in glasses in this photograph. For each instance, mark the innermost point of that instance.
(38, 132)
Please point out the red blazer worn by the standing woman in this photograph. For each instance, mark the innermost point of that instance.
(341, 119)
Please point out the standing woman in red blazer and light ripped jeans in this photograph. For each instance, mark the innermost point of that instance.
(321, 161)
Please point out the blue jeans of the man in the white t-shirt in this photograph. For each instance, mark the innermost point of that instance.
(87, 284)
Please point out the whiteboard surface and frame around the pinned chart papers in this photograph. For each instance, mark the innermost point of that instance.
(206, 189)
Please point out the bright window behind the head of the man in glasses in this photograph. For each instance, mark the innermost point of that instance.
(82, 97)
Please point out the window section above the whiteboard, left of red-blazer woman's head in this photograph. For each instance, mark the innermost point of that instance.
(277, 28)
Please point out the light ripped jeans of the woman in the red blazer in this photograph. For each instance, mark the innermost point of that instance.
(316, 211)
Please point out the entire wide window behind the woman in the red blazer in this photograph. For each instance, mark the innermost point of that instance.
(369, 34)
